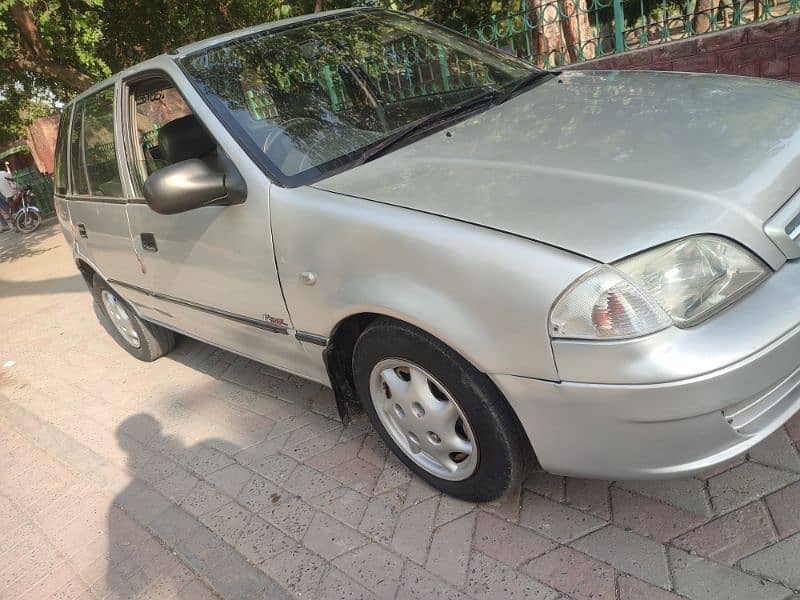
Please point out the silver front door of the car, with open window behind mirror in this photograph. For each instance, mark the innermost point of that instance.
(211, 271)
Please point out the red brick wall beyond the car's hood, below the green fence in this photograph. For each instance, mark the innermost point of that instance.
(769, 49)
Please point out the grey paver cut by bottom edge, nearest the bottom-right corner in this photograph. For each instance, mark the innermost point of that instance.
(699, 578)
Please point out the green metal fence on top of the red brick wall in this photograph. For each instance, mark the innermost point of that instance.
(553, 33)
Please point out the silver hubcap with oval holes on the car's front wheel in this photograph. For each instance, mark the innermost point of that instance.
(423, 419)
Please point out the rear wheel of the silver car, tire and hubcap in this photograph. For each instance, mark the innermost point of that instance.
(141, 339)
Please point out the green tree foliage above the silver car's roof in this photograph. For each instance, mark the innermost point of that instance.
(67, 44)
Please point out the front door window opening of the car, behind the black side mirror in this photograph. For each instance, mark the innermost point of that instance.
(154, 103)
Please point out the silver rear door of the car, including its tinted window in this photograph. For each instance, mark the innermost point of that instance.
(96, 198)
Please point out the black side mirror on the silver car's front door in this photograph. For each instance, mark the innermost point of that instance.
(191, 184)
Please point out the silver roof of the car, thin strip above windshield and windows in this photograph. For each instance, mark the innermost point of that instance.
(158, 61)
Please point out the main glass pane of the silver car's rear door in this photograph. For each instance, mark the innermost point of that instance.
(98, 141)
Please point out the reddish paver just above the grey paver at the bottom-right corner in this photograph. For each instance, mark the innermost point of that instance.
(731, 537)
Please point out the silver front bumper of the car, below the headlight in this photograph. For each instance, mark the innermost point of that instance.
(682, 401)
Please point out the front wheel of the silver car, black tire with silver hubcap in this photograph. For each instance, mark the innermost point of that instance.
(421, 433)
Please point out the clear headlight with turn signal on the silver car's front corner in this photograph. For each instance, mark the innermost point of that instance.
(680, 283)
